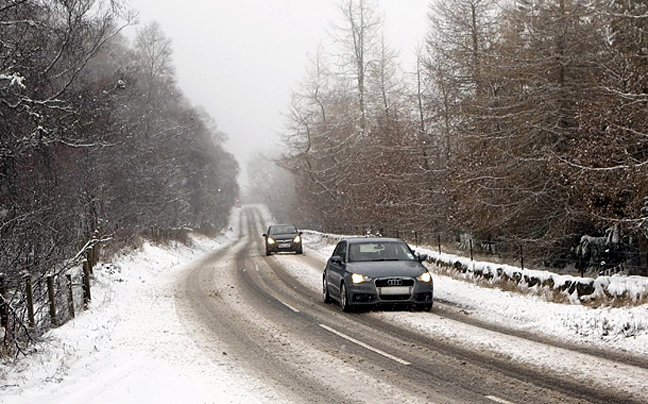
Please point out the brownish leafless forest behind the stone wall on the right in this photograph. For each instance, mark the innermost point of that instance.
(522, 127)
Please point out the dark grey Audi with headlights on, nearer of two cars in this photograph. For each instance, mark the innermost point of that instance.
(367, 272)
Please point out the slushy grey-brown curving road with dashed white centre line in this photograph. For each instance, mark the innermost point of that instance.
(304, 351)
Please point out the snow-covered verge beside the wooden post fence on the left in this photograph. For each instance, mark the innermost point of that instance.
(129, 347)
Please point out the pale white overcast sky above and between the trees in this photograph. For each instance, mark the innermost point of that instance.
(241, 59)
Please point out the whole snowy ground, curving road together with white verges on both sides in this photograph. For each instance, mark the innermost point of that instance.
(222, 323)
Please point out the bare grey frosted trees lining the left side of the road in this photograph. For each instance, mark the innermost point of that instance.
(97, 142)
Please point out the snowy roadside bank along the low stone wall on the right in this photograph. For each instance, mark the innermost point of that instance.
(532, 308)
